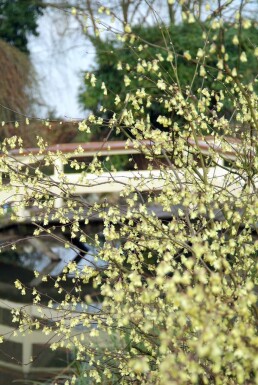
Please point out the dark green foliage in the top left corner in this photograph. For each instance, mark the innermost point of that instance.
(18, 19)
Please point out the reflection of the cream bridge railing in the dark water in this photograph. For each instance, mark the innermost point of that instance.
(27, 359)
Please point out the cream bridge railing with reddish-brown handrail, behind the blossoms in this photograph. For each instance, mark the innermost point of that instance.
(107, 182)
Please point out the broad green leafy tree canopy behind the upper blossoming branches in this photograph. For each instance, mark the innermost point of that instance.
(187, 40)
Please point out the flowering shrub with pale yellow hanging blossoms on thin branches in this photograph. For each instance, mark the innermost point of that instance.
(178, 295)
